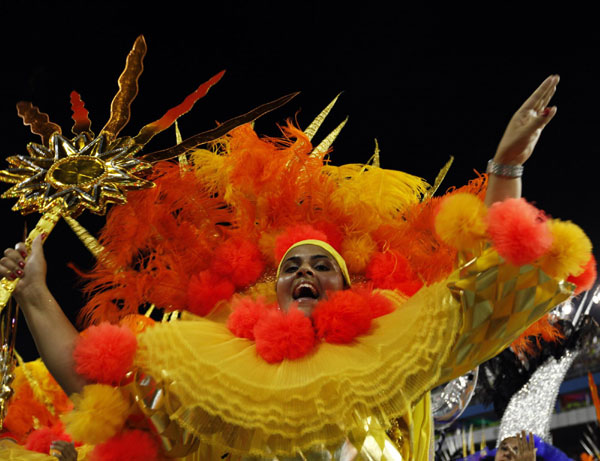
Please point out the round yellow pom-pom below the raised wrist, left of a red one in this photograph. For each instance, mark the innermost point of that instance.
(460, 221)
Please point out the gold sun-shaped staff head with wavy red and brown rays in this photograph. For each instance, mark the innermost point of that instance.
(63, 176)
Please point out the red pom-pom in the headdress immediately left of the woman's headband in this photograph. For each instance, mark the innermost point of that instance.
(239, 260)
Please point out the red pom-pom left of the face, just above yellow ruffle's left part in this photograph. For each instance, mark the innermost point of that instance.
(207, 289)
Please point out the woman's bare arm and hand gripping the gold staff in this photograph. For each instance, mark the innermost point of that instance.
(53, 333)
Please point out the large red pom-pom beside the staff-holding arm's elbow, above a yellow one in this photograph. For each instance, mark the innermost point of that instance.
(104, 354)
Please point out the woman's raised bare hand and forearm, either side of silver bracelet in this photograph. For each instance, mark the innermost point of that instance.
(519, 140)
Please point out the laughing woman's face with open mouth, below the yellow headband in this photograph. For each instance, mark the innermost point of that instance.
(307, 273)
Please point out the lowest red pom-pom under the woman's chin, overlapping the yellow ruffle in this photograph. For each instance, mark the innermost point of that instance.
(284, 336)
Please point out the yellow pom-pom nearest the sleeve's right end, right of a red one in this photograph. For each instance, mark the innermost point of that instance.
(570, 250)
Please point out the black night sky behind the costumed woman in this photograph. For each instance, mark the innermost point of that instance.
(424, 84)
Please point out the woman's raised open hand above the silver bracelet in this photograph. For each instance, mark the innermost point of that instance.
(526, 125)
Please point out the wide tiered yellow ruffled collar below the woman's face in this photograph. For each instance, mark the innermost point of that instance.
(222, 392)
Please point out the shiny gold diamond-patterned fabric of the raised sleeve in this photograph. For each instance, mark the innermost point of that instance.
(499, 302)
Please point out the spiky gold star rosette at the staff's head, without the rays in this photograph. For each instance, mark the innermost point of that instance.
(78, 173)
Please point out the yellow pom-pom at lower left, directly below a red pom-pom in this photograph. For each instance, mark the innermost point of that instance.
(100, 412)
